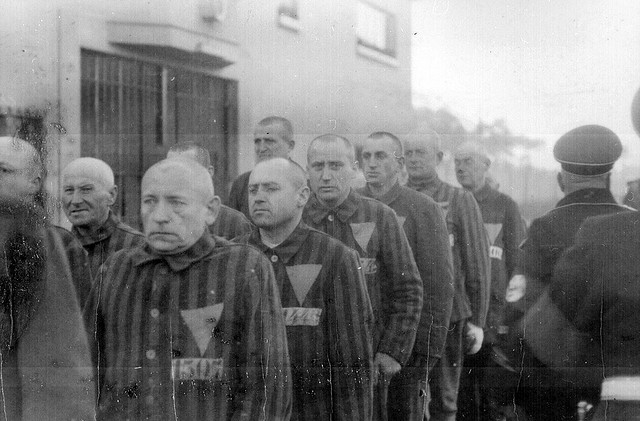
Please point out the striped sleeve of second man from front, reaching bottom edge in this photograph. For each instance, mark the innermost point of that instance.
(350, 321)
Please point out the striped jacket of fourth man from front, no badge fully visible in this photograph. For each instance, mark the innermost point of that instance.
(426, 230)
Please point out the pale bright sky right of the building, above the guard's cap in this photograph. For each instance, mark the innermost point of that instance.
(544, 66)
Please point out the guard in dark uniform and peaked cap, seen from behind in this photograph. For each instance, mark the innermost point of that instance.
(586, 155)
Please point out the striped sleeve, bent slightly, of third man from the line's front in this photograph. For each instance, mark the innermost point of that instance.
(403, 292)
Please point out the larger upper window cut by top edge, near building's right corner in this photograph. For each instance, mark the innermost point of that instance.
(376, 29)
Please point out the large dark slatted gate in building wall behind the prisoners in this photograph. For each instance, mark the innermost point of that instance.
(133, 111)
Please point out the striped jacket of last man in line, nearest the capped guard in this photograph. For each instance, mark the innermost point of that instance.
(506, 231)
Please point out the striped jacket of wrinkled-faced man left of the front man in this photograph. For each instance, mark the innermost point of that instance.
(112, 236)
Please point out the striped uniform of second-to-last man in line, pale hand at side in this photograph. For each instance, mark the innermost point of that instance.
(472, 276)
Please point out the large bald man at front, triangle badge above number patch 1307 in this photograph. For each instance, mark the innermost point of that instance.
(189, 325)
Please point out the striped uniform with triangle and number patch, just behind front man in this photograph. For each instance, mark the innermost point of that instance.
(329, 318)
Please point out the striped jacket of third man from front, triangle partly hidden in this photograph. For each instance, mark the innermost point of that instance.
(395, 288)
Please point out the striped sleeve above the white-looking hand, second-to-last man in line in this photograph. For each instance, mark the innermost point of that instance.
(474, 249)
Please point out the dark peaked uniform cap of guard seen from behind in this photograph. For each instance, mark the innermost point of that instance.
(588, 150)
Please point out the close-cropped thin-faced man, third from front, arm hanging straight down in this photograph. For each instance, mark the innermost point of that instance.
(372, 229)
